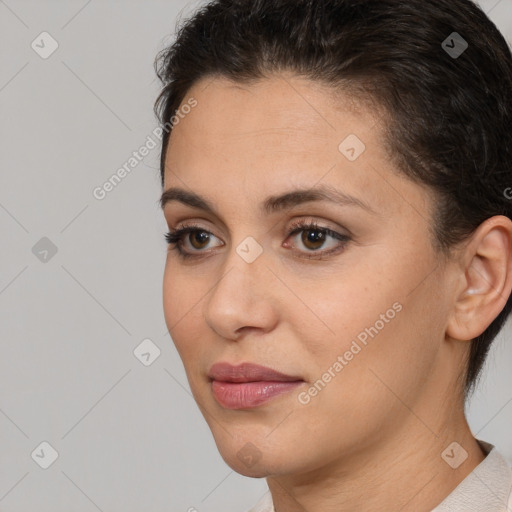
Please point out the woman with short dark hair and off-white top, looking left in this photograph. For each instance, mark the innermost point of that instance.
(335, 177)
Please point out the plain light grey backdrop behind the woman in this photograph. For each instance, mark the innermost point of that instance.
(129, 436)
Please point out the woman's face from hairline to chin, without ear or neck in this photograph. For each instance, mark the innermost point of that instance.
(357, 321)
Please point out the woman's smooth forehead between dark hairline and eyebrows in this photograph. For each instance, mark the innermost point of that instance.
(250, 137)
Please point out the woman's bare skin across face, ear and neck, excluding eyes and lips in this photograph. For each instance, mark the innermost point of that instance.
(372, 438)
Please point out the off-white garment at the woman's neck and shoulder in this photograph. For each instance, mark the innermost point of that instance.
(488, 488)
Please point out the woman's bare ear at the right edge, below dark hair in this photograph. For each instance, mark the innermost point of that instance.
(486, 279)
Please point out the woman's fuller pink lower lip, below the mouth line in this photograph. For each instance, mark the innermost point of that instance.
(244, 395)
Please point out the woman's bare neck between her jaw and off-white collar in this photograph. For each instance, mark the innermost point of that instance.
(408, 473)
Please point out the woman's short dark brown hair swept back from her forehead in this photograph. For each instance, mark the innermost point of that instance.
(449, 108)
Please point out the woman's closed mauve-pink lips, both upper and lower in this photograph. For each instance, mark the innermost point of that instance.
(248, 385)
